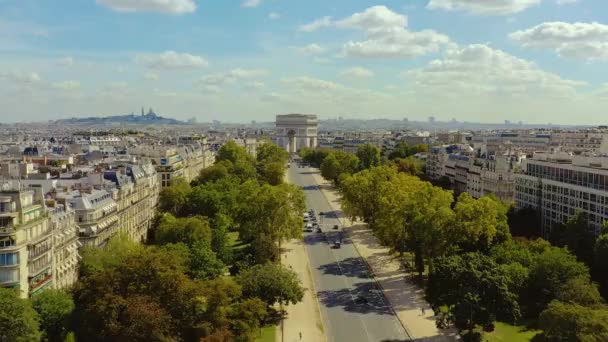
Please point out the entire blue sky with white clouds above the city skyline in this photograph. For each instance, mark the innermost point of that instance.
(538, 61)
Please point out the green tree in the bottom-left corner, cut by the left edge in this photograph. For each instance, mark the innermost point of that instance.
(19, 322)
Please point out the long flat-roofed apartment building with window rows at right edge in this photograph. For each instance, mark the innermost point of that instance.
(558, 184)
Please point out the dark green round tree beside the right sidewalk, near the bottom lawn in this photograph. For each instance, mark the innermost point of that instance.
(474, 288)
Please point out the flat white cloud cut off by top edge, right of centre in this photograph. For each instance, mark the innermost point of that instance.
(483, 7)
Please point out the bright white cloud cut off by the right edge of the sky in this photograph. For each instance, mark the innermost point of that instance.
(587, 41)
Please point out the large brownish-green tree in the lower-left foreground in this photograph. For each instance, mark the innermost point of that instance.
(148, 290)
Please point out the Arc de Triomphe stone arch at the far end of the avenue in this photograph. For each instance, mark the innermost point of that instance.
(295, 131)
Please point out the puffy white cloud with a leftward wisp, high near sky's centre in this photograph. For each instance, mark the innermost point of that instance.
(387, 35)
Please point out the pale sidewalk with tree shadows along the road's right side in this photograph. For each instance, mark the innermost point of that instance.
(406, 298)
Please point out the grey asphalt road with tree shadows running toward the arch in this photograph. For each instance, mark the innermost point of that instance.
(352, 307)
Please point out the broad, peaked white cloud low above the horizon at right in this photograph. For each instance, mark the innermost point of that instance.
(478, 70)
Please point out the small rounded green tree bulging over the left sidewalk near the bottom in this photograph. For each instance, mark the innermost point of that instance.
(272, 283)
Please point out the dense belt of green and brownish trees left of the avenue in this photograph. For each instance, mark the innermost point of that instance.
(178, 287)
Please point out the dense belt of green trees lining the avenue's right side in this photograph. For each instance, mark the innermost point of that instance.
(476, 272)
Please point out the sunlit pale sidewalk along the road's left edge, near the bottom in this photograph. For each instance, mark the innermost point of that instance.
(304, 317)
